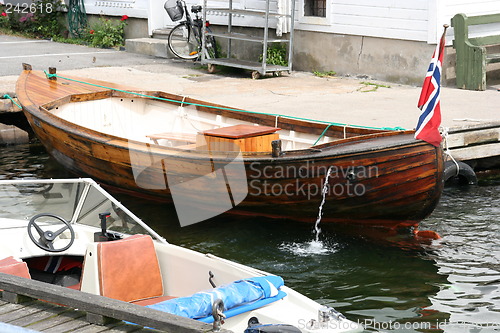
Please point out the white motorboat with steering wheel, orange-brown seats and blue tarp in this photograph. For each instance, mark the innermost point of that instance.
(72, 233)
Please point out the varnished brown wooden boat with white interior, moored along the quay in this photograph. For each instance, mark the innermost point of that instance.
(209, 159)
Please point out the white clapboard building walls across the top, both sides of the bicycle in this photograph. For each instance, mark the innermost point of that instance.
(413, 20)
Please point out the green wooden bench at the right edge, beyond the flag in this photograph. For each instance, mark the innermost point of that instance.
(472, 53)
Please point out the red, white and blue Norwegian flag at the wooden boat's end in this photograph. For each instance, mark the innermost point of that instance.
(429, 101)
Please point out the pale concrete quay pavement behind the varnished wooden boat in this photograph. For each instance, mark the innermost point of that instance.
(337, 99)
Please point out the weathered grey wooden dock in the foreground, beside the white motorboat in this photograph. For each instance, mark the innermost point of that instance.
(21, 306)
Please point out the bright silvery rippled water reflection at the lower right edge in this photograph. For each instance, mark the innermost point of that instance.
(469, 255)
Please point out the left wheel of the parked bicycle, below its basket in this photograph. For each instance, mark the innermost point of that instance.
(182, 42)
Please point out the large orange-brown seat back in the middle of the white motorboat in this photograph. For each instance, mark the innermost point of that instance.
(128, 269)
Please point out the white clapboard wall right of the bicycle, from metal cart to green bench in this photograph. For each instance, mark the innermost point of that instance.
(413, 20)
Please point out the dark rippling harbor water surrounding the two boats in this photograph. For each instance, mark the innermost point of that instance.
(387, 282)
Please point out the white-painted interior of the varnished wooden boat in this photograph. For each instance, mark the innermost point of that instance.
(141, 119)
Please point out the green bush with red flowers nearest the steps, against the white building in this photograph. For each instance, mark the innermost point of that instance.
(107, 33)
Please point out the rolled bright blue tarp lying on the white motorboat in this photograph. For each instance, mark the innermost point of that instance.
(233, 295)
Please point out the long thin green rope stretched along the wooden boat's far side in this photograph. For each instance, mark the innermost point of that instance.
(48, 75)
